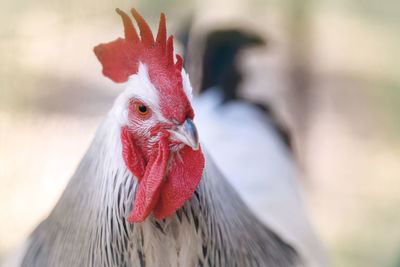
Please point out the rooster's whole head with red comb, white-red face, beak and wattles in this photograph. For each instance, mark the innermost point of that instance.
(160, 144)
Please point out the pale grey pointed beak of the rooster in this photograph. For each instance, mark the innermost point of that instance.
(187, 134)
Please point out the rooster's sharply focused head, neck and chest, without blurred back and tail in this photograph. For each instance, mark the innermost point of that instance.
(147, 193)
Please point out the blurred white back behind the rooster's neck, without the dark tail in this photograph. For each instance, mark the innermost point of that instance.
(247, 149)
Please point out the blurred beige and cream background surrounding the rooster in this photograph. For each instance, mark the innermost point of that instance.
(330, 69)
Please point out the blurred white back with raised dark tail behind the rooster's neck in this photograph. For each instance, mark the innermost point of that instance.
(250, 147)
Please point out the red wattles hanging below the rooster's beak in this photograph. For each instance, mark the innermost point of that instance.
(160, 190)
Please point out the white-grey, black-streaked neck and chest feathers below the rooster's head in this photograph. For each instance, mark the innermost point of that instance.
(88, 227)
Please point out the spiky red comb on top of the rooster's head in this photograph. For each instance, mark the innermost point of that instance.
(120, 58)
